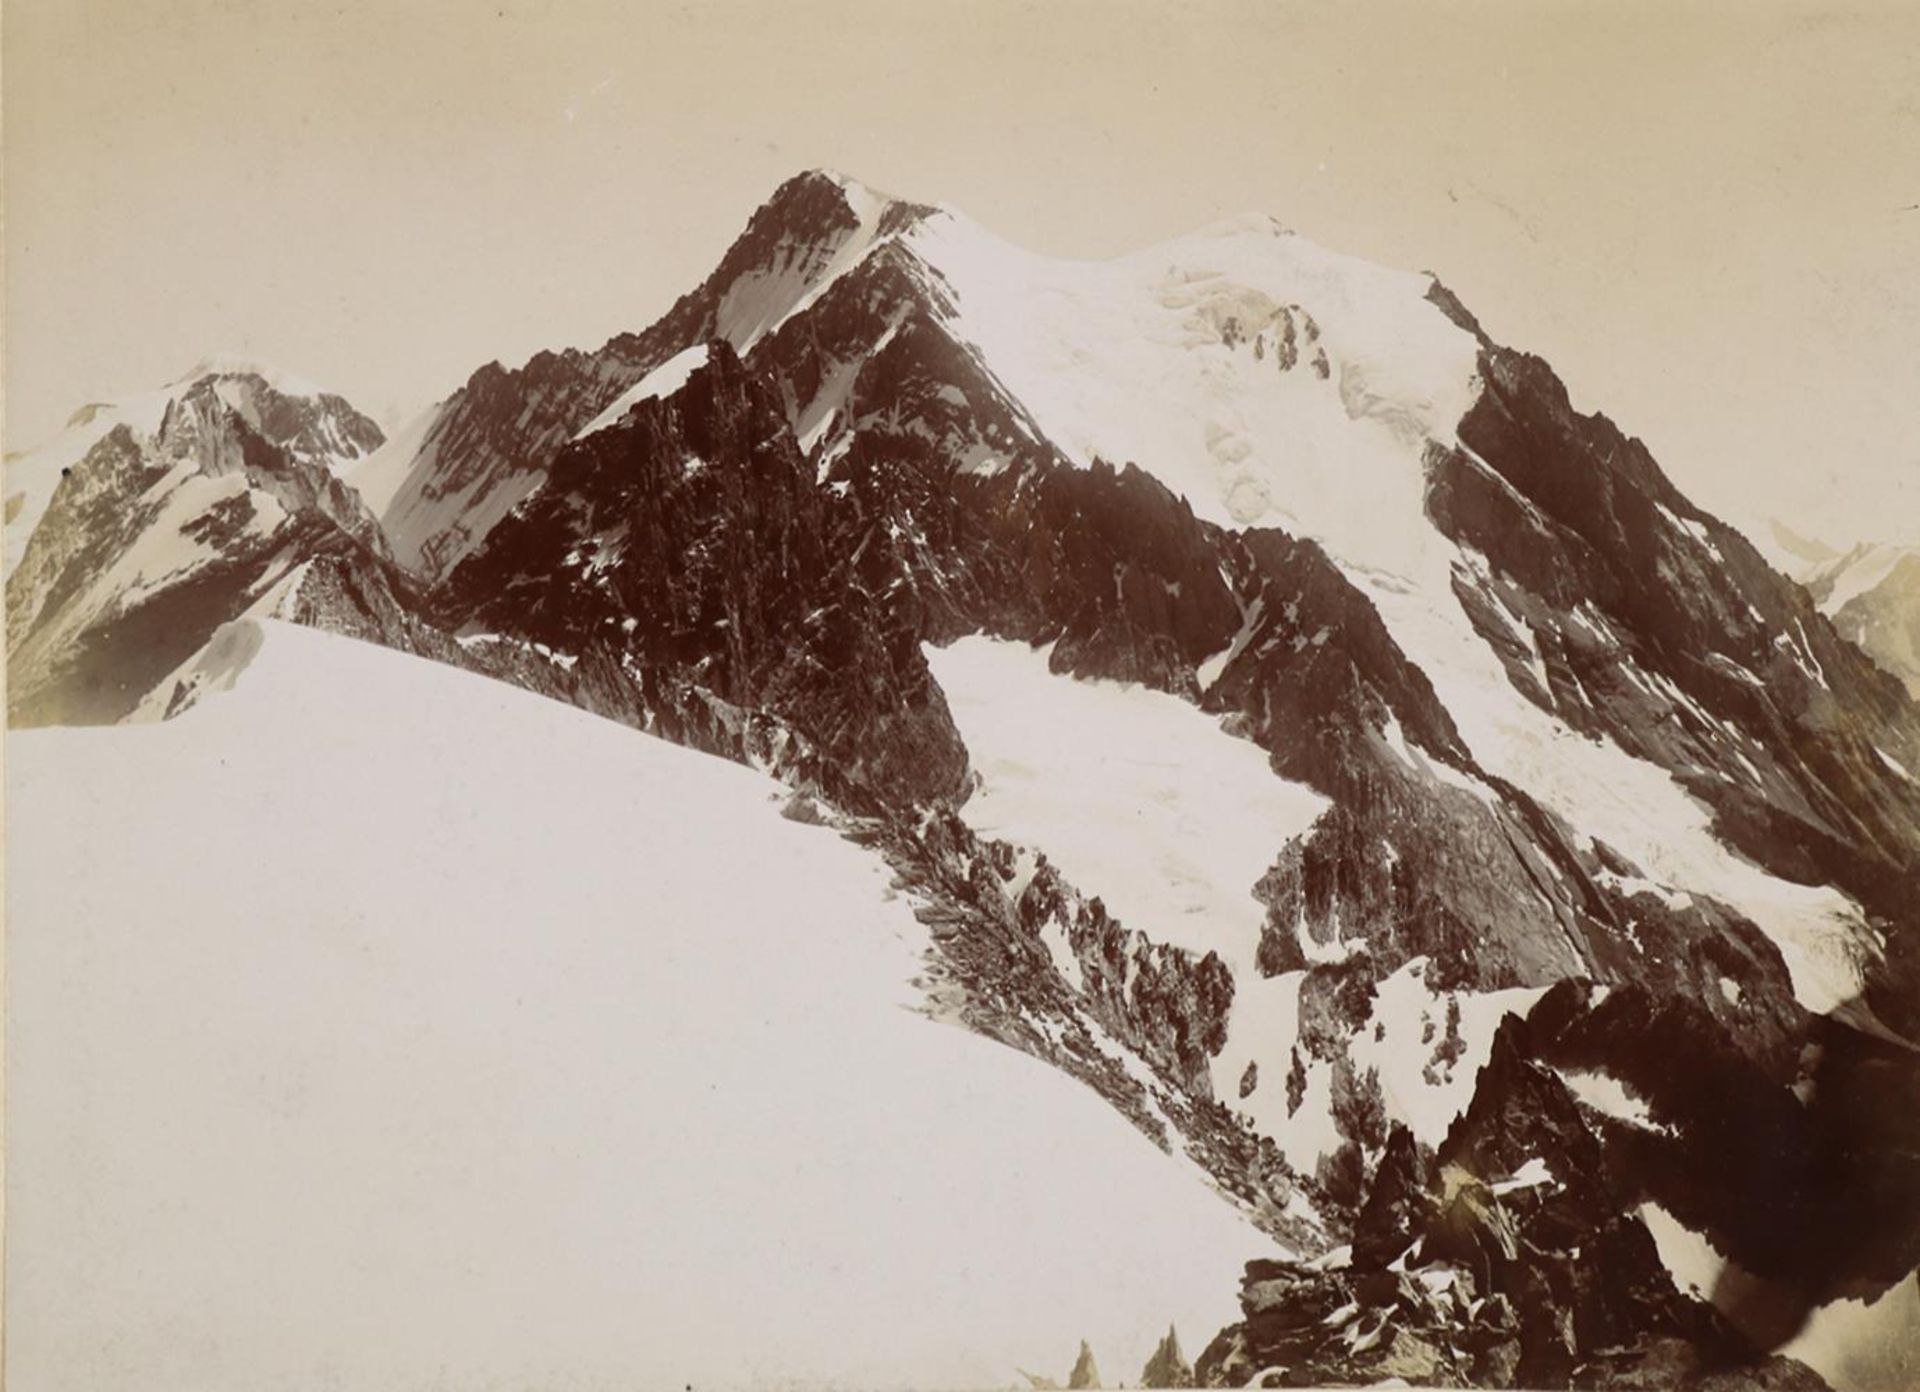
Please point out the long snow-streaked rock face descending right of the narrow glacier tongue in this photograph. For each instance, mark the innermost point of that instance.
(1666, 633)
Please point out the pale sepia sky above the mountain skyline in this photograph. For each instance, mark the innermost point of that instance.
(1706, 216)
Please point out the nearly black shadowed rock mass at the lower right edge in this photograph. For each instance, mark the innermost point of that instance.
(1812, 1180)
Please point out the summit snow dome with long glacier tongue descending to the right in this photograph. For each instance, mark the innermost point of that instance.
(1170, 358)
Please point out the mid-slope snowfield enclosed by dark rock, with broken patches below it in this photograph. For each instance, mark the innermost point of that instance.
(1145, 802)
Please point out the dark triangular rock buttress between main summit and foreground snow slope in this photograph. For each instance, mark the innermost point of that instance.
(692, 540)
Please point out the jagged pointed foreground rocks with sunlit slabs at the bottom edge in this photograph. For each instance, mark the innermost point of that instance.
(1512, 1259)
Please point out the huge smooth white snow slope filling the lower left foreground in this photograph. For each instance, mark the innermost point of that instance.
(494, 1045)
